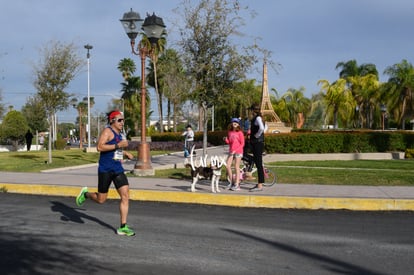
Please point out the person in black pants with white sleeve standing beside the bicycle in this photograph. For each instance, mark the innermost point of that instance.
(256, 140)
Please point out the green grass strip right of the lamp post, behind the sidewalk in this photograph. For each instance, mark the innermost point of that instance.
(349, 172)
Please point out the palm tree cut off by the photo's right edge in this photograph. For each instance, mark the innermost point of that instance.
(400, 86)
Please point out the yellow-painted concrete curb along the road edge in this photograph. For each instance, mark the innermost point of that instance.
(252, 201)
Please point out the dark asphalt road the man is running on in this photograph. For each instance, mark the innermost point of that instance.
(50, 235)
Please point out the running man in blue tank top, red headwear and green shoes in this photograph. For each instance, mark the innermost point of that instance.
(110, 144)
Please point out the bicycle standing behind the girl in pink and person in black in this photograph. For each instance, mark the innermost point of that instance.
(248, 173)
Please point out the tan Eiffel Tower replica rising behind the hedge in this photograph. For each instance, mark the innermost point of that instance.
(272, 120)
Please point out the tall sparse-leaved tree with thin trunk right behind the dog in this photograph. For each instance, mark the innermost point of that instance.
(212, 61)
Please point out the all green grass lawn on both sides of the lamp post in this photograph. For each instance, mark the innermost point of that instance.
(351, 172)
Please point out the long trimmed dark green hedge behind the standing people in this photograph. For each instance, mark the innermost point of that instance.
(334, 141)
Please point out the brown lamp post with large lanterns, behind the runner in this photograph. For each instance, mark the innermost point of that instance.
(153, 27)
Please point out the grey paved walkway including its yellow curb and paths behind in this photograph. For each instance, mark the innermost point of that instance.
(67, 182)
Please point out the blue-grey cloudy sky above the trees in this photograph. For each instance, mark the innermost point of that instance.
(308, 38)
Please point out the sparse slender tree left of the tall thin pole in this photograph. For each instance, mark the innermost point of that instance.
(58, 66)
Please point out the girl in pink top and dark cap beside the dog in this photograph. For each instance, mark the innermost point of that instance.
(235, 140)
